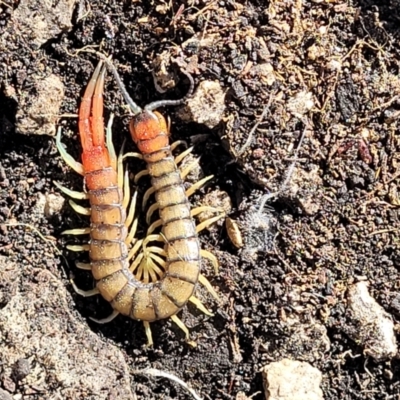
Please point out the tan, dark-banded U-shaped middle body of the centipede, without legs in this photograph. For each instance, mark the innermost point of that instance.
(109, 253)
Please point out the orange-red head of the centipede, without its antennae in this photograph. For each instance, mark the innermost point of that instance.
(149, 131)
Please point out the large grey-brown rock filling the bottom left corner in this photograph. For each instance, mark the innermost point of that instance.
(69, 358)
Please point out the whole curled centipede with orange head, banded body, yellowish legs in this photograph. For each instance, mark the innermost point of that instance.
(150, 278)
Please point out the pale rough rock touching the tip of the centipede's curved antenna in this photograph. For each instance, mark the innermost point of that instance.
(206, 106)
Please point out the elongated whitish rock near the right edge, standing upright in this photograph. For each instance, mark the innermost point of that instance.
(372, 327)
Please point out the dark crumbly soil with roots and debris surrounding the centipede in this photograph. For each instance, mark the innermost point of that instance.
(325, 69)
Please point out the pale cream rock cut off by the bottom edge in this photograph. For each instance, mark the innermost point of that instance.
(291, 380)
